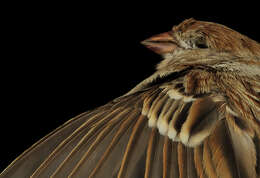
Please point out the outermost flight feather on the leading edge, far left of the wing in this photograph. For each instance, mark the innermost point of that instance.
(23, 164)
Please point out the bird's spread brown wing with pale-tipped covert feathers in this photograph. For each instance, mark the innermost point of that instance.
(159, 130)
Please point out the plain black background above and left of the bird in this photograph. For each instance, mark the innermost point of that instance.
(63, 59)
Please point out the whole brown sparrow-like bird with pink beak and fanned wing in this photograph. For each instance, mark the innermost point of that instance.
(197, 116)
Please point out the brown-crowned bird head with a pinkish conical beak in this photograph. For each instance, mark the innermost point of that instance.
(193, 34)
